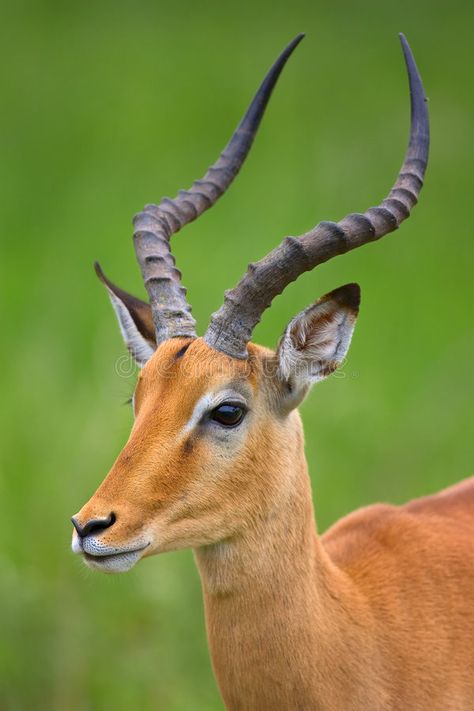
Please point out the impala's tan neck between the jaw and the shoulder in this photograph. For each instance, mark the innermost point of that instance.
(277, 609)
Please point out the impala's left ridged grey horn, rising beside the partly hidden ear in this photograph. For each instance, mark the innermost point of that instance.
(156, 223)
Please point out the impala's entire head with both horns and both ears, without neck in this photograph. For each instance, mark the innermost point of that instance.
(215, 417)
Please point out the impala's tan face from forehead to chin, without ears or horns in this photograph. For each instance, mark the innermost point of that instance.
(182, 479)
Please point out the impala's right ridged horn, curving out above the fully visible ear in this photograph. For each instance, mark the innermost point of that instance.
(231, 327)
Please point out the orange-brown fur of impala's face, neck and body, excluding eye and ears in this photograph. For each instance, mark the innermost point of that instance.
(376, 615)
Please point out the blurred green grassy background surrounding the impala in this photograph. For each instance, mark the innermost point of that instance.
(109, 105)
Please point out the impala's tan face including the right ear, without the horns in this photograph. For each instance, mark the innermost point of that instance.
(211, 438)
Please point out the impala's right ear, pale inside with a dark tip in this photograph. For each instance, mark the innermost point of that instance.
(316, 341)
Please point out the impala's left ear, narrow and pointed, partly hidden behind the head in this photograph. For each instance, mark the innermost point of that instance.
(135, 320)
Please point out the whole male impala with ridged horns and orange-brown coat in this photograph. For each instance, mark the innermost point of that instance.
(376, 614)
